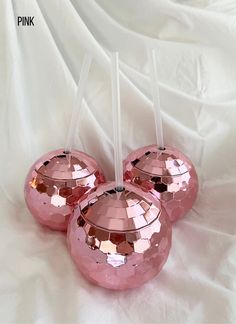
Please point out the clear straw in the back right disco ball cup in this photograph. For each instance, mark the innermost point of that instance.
(156, 98)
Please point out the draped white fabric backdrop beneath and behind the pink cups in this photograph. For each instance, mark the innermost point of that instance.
(39, 68)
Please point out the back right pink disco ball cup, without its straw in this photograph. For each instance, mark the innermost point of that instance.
(167, 174)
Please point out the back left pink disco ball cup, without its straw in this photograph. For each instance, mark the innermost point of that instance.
(56, 182)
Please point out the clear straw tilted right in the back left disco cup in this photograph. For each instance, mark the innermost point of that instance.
(78, 102)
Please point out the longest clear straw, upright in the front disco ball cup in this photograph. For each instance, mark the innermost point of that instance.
(115, 83)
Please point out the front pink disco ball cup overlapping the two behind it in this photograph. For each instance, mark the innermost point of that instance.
(119, 240)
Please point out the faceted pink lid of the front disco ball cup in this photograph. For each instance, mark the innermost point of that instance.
(129, 210)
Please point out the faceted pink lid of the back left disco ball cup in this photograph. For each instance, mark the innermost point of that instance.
(66, 166)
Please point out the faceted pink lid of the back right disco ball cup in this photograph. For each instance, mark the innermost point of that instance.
(151, 160)
